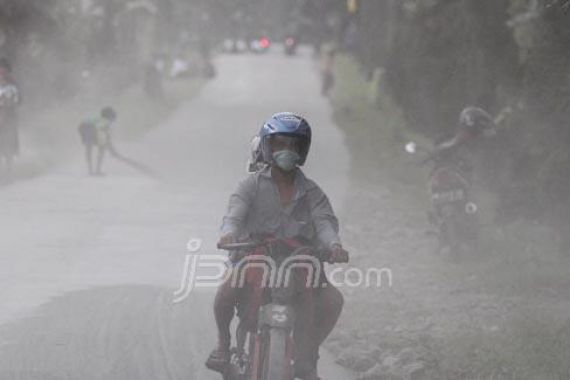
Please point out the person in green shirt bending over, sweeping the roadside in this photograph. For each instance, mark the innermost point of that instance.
(96, 133)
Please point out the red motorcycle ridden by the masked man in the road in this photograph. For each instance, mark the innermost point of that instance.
(272, 276)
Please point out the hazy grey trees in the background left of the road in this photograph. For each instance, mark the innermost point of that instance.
(51, 43)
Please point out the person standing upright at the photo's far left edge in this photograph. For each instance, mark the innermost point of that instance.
(9, 100)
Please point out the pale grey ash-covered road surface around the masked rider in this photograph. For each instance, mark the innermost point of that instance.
(89, 265)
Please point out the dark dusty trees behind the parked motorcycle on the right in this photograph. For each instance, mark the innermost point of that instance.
(509, 56)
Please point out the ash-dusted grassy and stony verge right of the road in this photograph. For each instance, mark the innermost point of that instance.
(500, 315)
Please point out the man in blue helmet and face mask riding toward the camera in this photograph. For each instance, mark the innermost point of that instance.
(279, 200)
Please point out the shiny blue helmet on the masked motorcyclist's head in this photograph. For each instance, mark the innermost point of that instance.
(289, 124)
